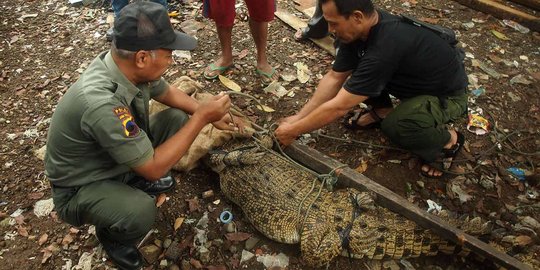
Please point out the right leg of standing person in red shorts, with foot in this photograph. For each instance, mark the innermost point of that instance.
(260, 13)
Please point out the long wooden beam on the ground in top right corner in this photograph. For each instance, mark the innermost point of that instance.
(501, 11)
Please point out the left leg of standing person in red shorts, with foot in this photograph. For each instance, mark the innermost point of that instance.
(223, 13)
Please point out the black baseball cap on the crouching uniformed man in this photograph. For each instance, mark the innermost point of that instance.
(165, 37)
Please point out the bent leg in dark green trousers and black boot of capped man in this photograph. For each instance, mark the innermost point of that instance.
(122, 216)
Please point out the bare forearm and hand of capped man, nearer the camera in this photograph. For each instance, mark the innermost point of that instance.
(168, 153)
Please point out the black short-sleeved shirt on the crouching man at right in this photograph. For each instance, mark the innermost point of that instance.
(403, 59)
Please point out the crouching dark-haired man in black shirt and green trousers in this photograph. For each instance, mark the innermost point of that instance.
(379, 54)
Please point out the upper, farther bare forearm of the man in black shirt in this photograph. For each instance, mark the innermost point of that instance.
(327, 89)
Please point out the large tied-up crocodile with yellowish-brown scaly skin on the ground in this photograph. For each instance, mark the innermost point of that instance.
(287, 204)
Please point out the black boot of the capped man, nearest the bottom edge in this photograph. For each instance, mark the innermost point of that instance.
(125, 257)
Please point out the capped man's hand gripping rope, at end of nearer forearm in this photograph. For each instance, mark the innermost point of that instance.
(213, 109)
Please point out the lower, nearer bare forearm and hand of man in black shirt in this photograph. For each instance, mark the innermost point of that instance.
(324, 114)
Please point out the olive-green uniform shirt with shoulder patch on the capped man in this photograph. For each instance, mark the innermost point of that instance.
(100, 127)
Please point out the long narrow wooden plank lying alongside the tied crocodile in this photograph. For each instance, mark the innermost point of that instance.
(386, 198)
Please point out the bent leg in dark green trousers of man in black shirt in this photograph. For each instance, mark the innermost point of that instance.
(419, 125)
